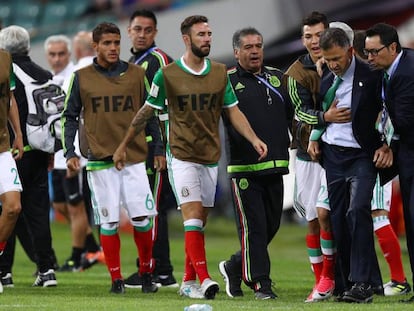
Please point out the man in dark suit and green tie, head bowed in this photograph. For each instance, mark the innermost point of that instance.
(351, 152)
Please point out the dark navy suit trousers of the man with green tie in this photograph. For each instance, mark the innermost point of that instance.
(351, 177)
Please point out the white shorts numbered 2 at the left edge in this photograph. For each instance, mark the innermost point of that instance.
(9, 176)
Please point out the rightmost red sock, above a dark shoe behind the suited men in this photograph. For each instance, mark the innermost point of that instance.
(391, 249)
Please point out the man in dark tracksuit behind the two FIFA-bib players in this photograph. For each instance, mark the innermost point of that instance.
(142, 30)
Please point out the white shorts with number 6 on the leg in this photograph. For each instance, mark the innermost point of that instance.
(112, 189)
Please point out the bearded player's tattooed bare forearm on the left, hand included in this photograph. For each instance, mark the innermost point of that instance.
(137, 125)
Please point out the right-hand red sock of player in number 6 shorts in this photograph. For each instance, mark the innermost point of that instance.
(143, 241)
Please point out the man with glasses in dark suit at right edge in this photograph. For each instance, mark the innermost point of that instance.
(384, 53)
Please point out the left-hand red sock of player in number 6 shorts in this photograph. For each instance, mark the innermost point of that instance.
(111, 246)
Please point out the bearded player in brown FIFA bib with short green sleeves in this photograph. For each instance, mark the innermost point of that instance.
(197, 90)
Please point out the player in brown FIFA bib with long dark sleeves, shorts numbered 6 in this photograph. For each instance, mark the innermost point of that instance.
(109, 93)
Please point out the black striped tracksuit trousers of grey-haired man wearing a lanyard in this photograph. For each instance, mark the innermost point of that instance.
(258, 205)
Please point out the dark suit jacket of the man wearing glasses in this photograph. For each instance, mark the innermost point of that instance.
(399, 97)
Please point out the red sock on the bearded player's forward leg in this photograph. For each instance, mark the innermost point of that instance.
(194, 241)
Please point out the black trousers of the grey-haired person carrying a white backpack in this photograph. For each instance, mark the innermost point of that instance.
(33, 226)
